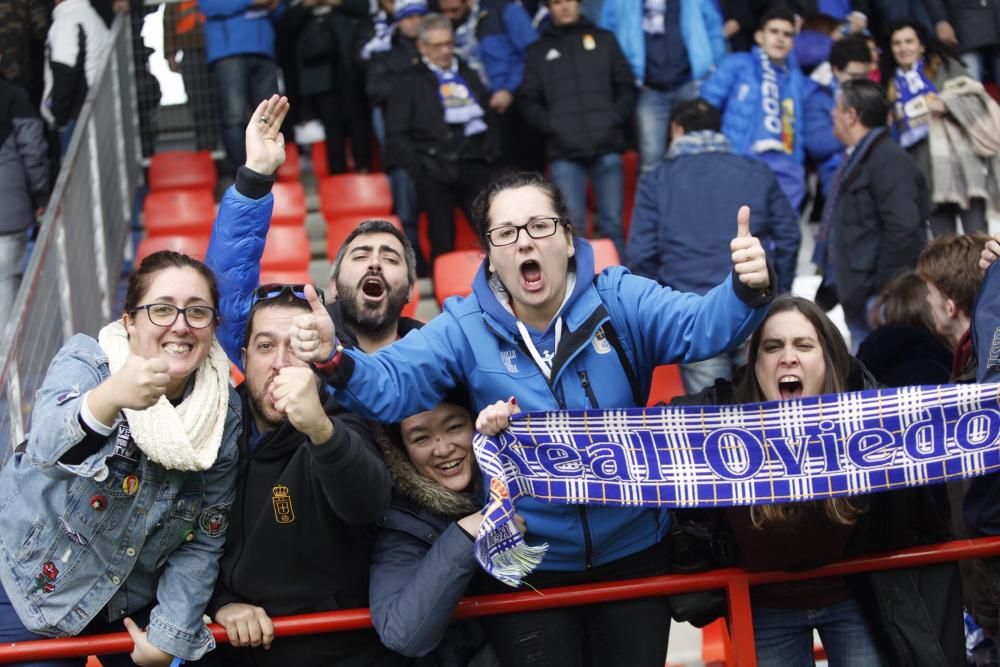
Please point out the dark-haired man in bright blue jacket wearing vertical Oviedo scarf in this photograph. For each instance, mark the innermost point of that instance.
(761, 95)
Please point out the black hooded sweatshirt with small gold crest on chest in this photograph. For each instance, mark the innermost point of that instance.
(300, 537)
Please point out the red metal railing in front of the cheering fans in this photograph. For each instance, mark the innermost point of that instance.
(734, 581)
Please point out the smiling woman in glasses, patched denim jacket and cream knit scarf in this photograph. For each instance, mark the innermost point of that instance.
(114, 512)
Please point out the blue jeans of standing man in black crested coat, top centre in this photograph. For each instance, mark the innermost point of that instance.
(606, 176)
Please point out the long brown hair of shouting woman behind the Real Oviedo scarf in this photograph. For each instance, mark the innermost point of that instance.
(838, 368)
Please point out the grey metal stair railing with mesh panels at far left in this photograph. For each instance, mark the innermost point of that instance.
(71, 281)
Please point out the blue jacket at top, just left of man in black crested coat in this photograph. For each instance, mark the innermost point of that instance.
(504, 33)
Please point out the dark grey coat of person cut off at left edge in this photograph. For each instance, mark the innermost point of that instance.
(24, 162)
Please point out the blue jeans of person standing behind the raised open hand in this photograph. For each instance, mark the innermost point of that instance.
(241, 82)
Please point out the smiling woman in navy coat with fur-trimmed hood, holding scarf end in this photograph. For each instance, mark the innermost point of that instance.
(423, 559)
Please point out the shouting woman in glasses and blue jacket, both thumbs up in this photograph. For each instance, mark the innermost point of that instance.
(541, 329)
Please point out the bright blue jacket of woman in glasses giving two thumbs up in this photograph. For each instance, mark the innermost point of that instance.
(475, 342)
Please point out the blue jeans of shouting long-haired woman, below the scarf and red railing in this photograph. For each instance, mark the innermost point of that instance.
(784, 637)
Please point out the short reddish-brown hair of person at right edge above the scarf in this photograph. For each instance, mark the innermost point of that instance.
(951, 264)
